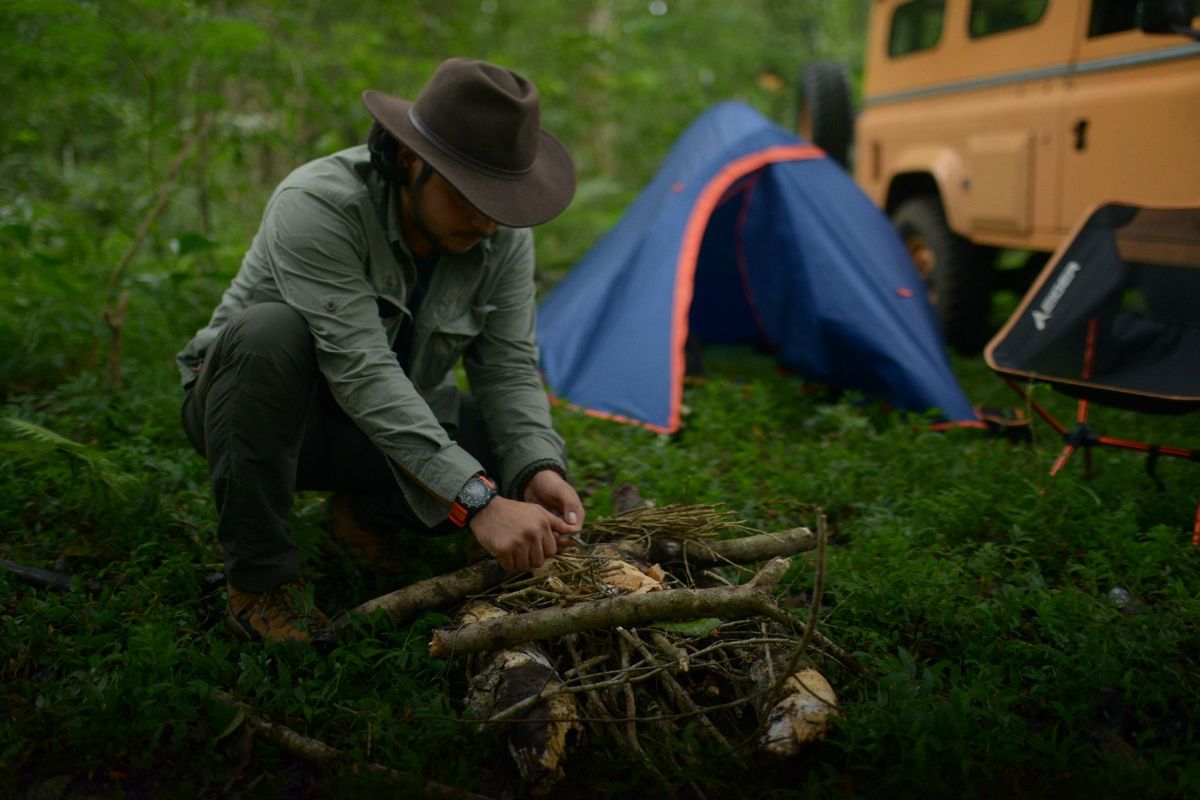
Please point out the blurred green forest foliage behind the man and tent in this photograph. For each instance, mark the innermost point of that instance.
(100, 100)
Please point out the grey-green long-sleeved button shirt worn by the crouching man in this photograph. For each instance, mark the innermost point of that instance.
(326, 248)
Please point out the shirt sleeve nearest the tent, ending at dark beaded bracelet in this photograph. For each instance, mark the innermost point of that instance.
(502, 368)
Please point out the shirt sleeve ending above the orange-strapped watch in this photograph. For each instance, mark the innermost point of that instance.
(317, 256)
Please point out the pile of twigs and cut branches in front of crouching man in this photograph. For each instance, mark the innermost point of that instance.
(604, 641)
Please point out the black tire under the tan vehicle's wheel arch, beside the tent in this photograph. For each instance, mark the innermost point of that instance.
(957, 273)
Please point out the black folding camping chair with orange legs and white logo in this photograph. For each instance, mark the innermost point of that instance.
(1113, 320)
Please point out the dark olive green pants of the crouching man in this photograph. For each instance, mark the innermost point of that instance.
(266, 420)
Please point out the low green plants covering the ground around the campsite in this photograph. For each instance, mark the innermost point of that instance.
(981, 596)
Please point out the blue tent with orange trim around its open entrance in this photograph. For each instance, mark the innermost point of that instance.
(747, 234)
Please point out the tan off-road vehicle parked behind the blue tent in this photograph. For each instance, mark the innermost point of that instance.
(998, 124)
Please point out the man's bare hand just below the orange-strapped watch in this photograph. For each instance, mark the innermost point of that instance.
(520, 536)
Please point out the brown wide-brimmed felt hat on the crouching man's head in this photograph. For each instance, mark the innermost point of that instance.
(479, 127)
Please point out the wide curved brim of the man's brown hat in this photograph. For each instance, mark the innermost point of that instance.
(519, 202)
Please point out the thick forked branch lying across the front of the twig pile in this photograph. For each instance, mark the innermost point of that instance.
(751, 599)
